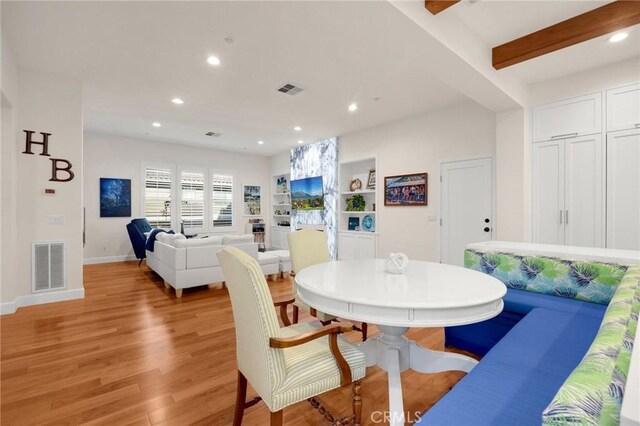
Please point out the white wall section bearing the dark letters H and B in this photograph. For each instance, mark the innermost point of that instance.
(45, 103)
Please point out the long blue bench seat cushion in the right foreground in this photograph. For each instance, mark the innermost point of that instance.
(518, 378)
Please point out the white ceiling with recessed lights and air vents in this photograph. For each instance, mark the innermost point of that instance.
(133, 57)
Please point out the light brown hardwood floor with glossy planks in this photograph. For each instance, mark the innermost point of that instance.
(131, 353)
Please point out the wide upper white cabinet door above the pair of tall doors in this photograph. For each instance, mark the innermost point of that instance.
(569, 118)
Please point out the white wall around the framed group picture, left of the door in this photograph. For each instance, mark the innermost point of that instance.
(418, 144)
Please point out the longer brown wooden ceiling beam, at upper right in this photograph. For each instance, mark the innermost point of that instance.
(595, 23)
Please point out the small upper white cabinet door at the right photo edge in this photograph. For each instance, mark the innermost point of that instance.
(623, 108)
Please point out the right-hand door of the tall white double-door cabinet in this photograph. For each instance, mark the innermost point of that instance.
(583, 191)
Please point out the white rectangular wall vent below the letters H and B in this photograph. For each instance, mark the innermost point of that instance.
(48, 266)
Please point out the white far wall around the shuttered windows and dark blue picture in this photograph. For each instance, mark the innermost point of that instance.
(122, 157)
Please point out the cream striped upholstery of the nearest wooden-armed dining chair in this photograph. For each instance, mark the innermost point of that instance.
(280, 376)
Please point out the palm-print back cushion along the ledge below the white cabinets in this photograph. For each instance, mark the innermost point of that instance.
(589, 281)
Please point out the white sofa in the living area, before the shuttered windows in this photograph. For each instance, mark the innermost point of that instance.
(184, 263)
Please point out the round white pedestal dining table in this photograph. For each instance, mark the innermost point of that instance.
(426, 295)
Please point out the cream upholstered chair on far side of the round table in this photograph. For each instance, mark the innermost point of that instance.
(308, 247)
